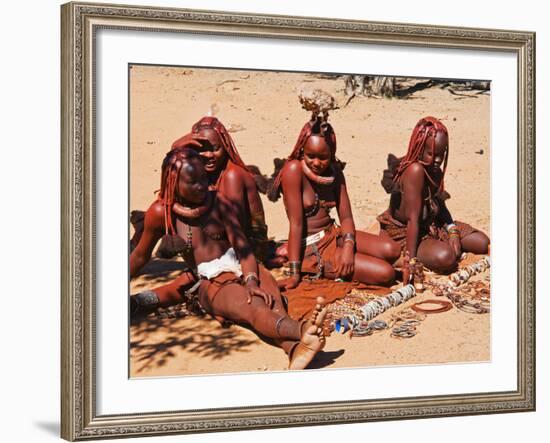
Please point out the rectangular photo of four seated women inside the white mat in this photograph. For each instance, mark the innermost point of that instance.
(298, 220)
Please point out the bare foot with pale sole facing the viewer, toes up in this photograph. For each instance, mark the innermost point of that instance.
(313, 339)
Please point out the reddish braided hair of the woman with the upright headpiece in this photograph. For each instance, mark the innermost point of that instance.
(316, 126)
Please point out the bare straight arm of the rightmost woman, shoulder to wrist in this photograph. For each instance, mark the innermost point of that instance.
(413, 184)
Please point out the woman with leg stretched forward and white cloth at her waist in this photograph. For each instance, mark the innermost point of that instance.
(231, 286)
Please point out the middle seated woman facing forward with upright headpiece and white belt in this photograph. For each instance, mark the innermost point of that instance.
(312, 183)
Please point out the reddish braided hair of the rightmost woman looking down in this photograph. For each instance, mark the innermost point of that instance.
(422, 137)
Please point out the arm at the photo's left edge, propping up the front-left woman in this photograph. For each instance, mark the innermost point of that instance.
(153, 230)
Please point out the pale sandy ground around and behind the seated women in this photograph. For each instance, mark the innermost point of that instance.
(262, 111)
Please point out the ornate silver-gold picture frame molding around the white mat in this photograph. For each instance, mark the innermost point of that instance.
(79, 420)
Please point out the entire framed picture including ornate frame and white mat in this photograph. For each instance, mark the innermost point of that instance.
(320, 203)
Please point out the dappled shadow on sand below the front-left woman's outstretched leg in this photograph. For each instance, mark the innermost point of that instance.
(155, 341)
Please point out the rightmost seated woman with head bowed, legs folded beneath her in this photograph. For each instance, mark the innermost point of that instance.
(417, 216)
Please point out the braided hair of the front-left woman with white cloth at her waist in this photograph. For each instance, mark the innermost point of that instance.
(171, 168)
